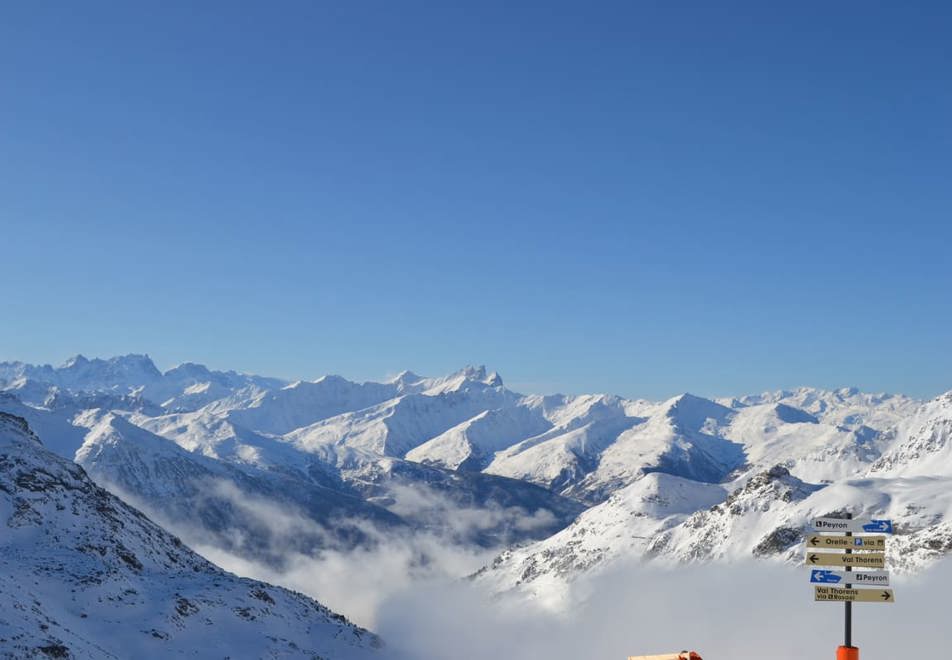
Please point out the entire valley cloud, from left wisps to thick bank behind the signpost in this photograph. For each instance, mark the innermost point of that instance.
(411, 589)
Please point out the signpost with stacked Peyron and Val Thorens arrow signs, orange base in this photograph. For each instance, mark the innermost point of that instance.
(837, 586)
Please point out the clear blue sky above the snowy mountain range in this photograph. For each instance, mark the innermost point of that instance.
(636, 197)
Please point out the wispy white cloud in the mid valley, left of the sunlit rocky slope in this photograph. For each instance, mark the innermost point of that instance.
(354, 581)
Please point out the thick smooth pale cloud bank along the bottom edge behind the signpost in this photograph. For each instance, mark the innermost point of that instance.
(725, 612)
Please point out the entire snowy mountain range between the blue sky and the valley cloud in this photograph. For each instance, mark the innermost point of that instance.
(686, 479)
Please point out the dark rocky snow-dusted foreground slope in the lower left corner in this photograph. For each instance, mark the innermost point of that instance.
(84, 575)
